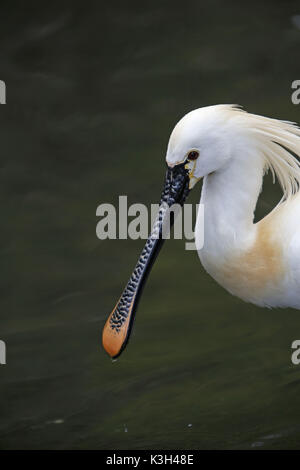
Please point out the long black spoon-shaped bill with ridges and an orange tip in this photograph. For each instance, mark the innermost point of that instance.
(118, 326)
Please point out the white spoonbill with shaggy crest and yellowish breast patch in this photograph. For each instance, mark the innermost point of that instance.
(230, 150)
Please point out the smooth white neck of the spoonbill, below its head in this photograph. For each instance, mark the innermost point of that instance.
(229, 197)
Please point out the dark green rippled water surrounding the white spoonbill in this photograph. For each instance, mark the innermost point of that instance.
(93, 91)
